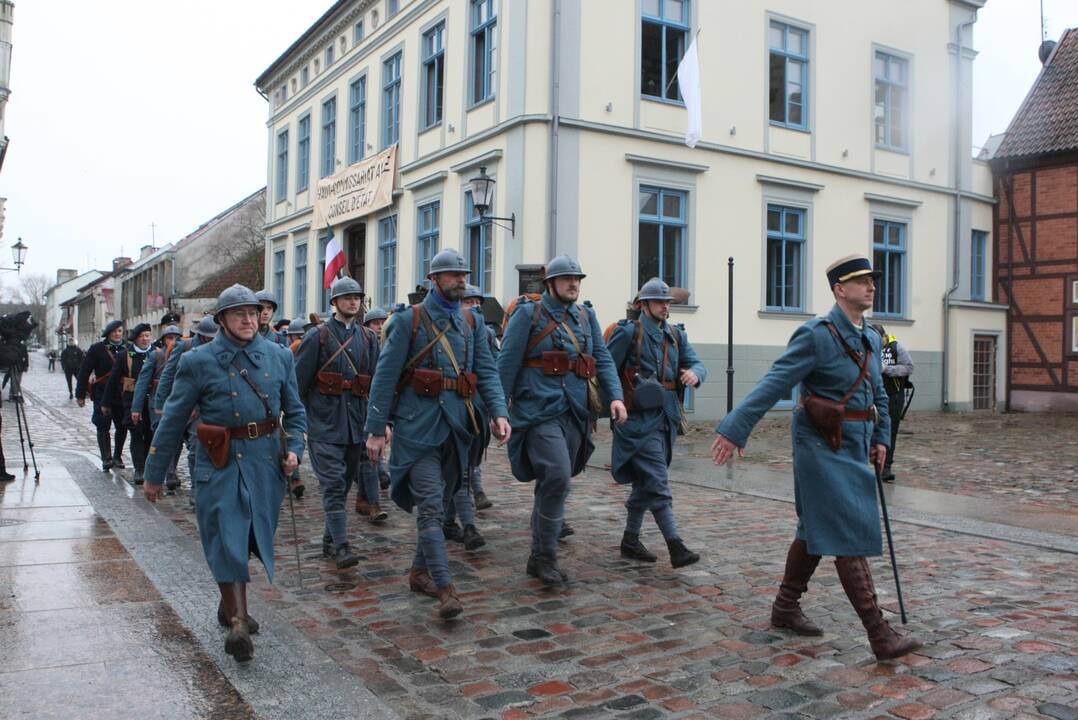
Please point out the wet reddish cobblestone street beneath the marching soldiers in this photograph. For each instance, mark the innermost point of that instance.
(996, 604)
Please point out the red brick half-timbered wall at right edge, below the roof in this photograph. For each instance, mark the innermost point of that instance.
(1046, 215)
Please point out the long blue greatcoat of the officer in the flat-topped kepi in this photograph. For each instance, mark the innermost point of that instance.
(836, 492)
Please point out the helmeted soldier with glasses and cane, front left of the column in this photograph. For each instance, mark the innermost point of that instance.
(244, 389)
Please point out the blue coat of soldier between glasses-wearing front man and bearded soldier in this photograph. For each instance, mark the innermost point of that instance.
(337, 420)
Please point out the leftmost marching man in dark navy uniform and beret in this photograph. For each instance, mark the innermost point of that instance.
(99, 362)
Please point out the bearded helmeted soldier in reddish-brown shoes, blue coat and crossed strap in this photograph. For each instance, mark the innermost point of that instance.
(436, 358)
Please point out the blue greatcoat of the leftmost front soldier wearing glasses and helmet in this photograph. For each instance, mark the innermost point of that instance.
(245, 496)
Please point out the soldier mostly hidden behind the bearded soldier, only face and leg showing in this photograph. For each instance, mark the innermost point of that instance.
(462, 503)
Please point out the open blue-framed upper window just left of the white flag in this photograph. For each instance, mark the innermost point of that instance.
(665, 37)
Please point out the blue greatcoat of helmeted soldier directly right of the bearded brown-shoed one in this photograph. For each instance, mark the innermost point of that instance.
(538, 398)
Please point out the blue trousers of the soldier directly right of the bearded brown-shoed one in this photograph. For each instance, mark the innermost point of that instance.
(551, 448)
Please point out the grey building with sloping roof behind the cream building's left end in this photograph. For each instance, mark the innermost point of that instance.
(177, 276)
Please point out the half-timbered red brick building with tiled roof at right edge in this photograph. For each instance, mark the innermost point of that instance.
(1035, 172)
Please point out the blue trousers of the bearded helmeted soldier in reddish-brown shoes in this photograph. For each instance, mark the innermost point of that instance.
(430, 479)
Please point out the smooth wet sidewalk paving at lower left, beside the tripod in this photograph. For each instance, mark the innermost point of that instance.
(84, 632)
